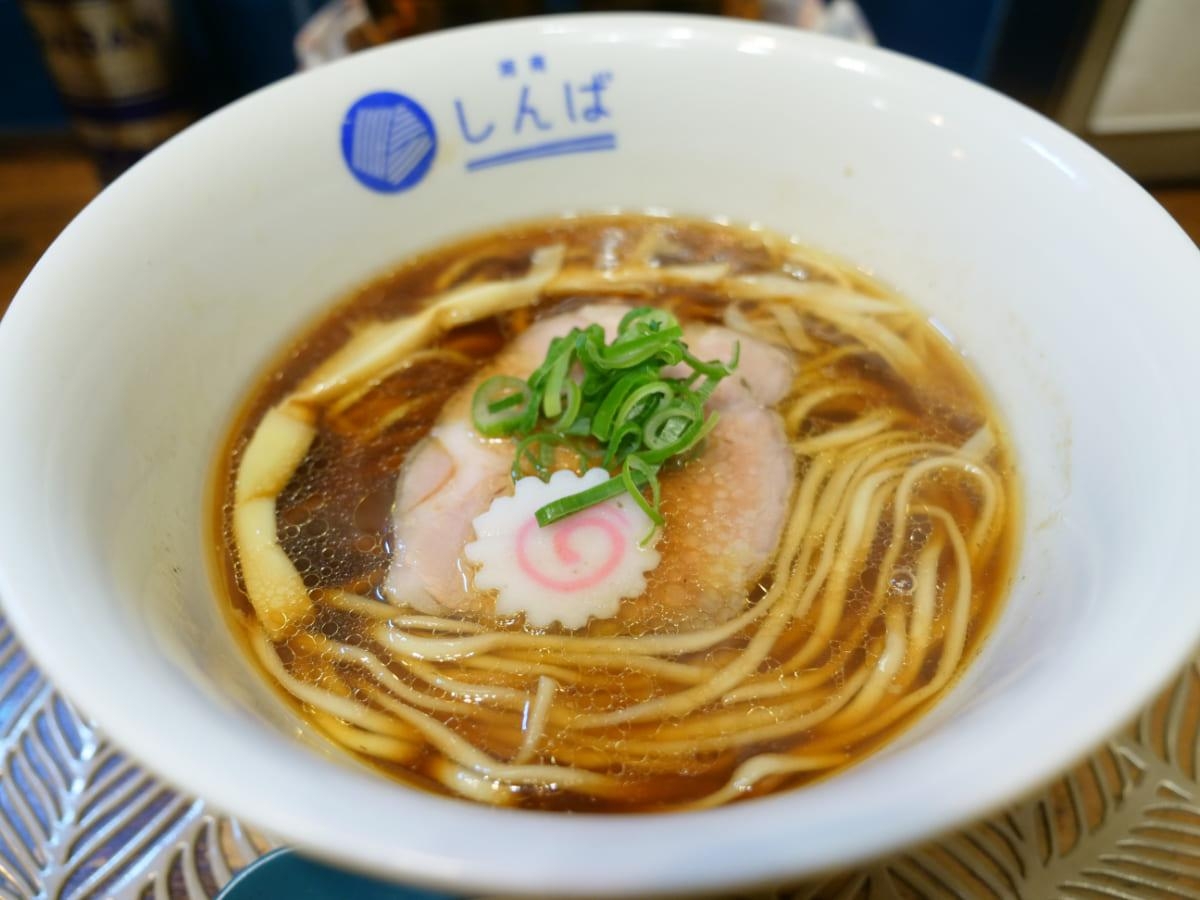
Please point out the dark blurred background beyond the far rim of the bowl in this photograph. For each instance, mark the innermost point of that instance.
(87, 87)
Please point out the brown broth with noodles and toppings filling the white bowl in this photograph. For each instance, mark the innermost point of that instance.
(833, 548)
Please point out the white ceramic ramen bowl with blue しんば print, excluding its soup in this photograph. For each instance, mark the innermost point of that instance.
(125, 353)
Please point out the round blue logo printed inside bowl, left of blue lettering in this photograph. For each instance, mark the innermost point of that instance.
(388, 142)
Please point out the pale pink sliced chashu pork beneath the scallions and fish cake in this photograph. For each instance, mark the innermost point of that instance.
(724, 509)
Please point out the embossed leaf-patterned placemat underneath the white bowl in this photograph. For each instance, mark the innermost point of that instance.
(79, 820)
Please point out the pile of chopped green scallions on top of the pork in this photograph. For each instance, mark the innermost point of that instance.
(623, 415)
